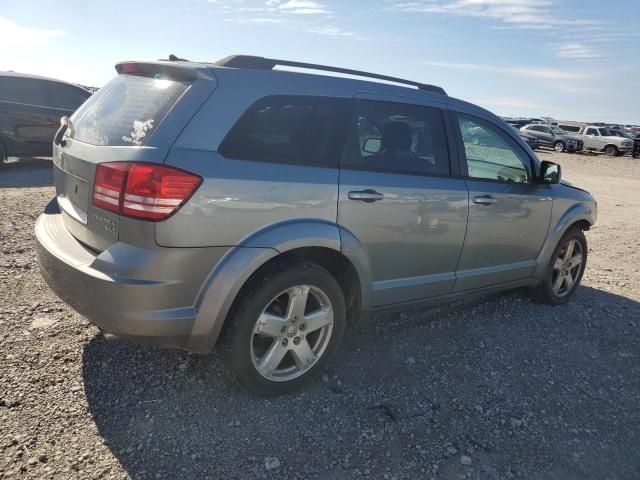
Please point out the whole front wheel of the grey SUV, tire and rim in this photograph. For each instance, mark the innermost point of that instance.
(565, 270)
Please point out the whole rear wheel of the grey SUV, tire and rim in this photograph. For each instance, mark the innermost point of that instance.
(288, 326)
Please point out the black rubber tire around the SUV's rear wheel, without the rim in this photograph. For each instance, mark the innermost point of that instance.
(256, 298)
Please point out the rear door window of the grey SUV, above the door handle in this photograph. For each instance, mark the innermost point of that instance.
(397, 137)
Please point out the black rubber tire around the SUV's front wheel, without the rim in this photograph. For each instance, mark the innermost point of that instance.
(543, 291)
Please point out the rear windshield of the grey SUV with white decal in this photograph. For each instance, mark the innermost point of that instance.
(126, 111)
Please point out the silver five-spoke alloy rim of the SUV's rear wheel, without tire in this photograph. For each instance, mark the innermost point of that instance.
(292, 333)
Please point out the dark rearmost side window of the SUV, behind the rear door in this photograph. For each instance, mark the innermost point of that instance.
(288, 129)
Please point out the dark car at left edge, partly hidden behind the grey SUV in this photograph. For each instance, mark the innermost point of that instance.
(30, 111)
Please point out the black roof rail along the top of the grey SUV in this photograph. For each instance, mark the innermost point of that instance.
(261, 63)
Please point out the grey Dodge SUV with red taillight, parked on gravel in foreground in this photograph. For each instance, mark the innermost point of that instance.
(198, 201)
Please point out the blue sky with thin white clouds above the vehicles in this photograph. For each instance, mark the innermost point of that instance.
(566, 59)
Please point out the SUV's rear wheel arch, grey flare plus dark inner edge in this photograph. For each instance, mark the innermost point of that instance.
(317, 241)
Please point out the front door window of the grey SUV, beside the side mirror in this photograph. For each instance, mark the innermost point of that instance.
(496, 156)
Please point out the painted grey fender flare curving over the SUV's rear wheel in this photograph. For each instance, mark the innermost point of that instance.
(231, 273)
